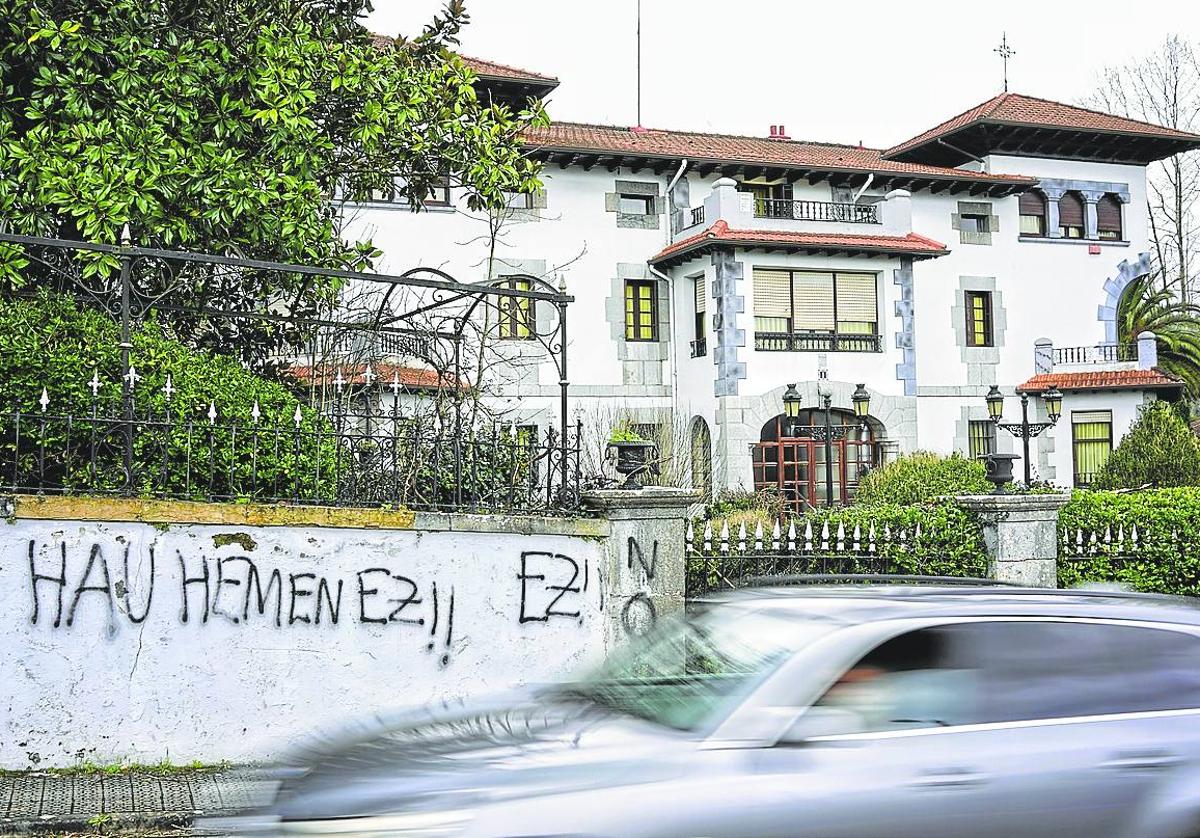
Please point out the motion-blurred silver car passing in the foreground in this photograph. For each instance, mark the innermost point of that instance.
(811, 713)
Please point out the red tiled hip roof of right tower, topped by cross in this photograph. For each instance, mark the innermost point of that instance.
(1029, 111)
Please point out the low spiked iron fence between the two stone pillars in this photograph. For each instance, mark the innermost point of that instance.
(719, 561)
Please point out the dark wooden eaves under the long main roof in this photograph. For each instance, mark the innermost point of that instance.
(971, 184)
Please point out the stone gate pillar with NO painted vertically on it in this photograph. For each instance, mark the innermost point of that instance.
(644, 564)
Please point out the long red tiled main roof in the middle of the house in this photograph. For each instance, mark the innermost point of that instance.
(731, 148)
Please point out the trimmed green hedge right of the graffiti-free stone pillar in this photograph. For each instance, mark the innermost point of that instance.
(1167, 559)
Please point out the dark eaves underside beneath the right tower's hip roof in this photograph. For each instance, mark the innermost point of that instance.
(1024, 140)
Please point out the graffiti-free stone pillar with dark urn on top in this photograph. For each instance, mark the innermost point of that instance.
(1022, 536)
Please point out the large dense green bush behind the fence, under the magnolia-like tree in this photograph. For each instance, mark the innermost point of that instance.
(50, 342)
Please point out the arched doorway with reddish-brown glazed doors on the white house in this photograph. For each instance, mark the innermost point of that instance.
(791, 458)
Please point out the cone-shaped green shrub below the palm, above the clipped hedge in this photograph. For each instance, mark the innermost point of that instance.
(1160, 451)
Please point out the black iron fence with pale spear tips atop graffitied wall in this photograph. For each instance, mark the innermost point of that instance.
(351, 456)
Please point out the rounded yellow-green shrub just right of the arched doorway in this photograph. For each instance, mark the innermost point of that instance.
(923, 477)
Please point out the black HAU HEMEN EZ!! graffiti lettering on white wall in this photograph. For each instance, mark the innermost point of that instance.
(238, 591)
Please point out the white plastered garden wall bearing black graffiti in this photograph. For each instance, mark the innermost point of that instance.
(154, 645)
